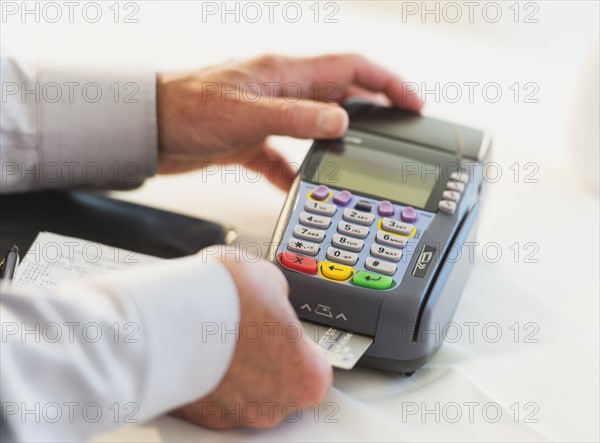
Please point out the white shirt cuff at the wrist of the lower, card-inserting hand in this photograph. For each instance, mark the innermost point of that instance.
(189, 310)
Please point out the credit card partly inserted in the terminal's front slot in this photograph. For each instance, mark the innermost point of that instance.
(342, 348)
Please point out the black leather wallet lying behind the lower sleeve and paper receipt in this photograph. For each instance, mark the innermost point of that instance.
(100, 219)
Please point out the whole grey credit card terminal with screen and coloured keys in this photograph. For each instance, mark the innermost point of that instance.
(371, 234)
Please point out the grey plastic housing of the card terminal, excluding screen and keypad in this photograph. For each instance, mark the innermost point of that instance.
(408, 323)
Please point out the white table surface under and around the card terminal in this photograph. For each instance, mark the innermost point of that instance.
(553, 381)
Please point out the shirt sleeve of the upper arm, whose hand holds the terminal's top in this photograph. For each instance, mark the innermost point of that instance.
(65, 126)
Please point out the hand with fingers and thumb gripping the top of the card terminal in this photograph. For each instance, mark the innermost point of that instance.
(224, 113)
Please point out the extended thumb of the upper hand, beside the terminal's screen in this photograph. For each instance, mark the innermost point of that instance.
(302, 119)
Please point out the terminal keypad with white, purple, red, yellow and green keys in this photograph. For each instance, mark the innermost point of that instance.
(351, 239)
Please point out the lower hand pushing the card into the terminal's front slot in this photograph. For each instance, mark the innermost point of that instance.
(275, 367)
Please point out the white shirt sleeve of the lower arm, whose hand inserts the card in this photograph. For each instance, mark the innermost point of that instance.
(114, 350)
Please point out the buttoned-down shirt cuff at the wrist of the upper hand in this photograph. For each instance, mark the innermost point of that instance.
(97, 127)
